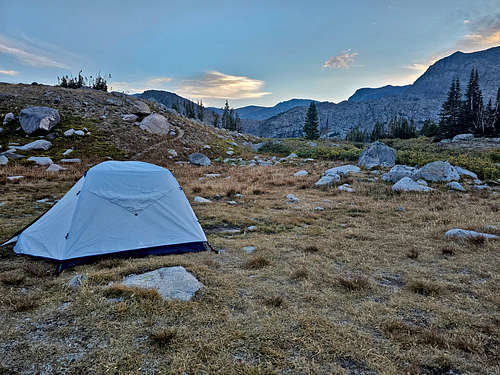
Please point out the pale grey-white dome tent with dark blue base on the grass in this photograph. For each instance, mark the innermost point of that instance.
(117, 207)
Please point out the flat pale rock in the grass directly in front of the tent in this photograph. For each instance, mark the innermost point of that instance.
(171, 283)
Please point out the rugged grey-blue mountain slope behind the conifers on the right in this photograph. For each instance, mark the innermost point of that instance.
(421, 101)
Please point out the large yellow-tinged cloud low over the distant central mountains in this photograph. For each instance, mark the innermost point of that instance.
(218, 85)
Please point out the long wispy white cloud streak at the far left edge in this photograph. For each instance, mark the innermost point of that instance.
(28, 55)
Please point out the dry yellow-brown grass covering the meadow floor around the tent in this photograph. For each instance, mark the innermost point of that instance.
(326, 292)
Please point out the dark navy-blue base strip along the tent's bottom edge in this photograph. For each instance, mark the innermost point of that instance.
(190, 247)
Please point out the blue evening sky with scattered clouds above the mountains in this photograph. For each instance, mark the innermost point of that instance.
(249, 52)
